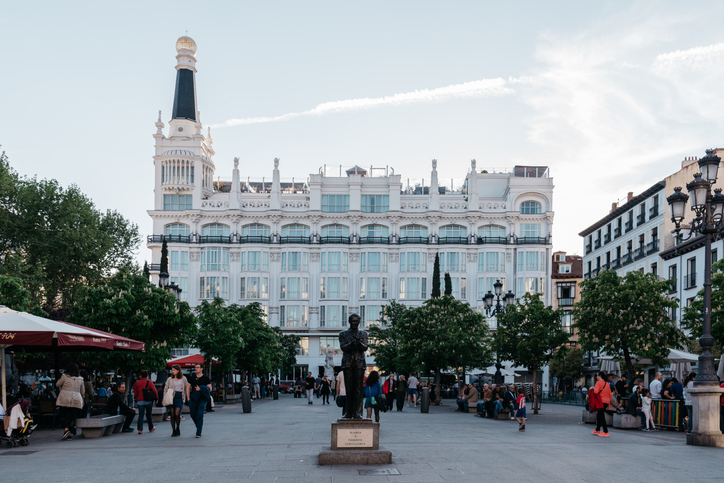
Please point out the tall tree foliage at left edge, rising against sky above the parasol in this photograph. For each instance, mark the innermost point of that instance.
(56, 241)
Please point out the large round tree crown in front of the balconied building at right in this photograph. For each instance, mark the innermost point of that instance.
(627, 317)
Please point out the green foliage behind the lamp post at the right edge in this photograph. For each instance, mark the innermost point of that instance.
(693, 317)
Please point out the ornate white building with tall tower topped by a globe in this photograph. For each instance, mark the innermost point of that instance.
(313, 251)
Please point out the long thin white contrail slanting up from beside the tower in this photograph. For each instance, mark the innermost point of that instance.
(479, 88)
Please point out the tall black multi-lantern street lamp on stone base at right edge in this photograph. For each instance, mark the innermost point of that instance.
(708, 209)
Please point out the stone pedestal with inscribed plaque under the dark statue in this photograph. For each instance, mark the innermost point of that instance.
(355, 442)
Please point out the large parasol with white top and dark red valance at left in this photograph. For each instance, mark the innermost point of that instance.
(23, 331)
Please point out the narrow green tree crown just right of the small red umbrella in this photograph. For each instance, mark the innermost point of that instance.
(220, 332)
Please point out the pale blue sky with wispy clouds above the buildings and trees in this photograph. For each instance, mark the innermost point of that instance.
(610, 95)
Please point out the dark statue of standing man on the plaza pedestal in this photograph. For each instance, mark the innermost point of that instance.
(353, 343)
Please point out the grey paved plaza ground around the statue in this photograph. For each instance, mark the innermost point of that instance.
(279, 442)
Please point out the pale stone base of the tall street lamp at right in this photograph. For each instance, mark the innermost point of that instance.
(705, 428)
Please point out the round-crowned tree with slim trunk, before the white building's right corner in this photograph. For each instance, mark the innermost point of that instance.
(528, 334)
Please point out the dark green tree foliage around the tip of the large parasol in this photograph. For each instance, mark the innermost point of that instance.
(129, 306)
